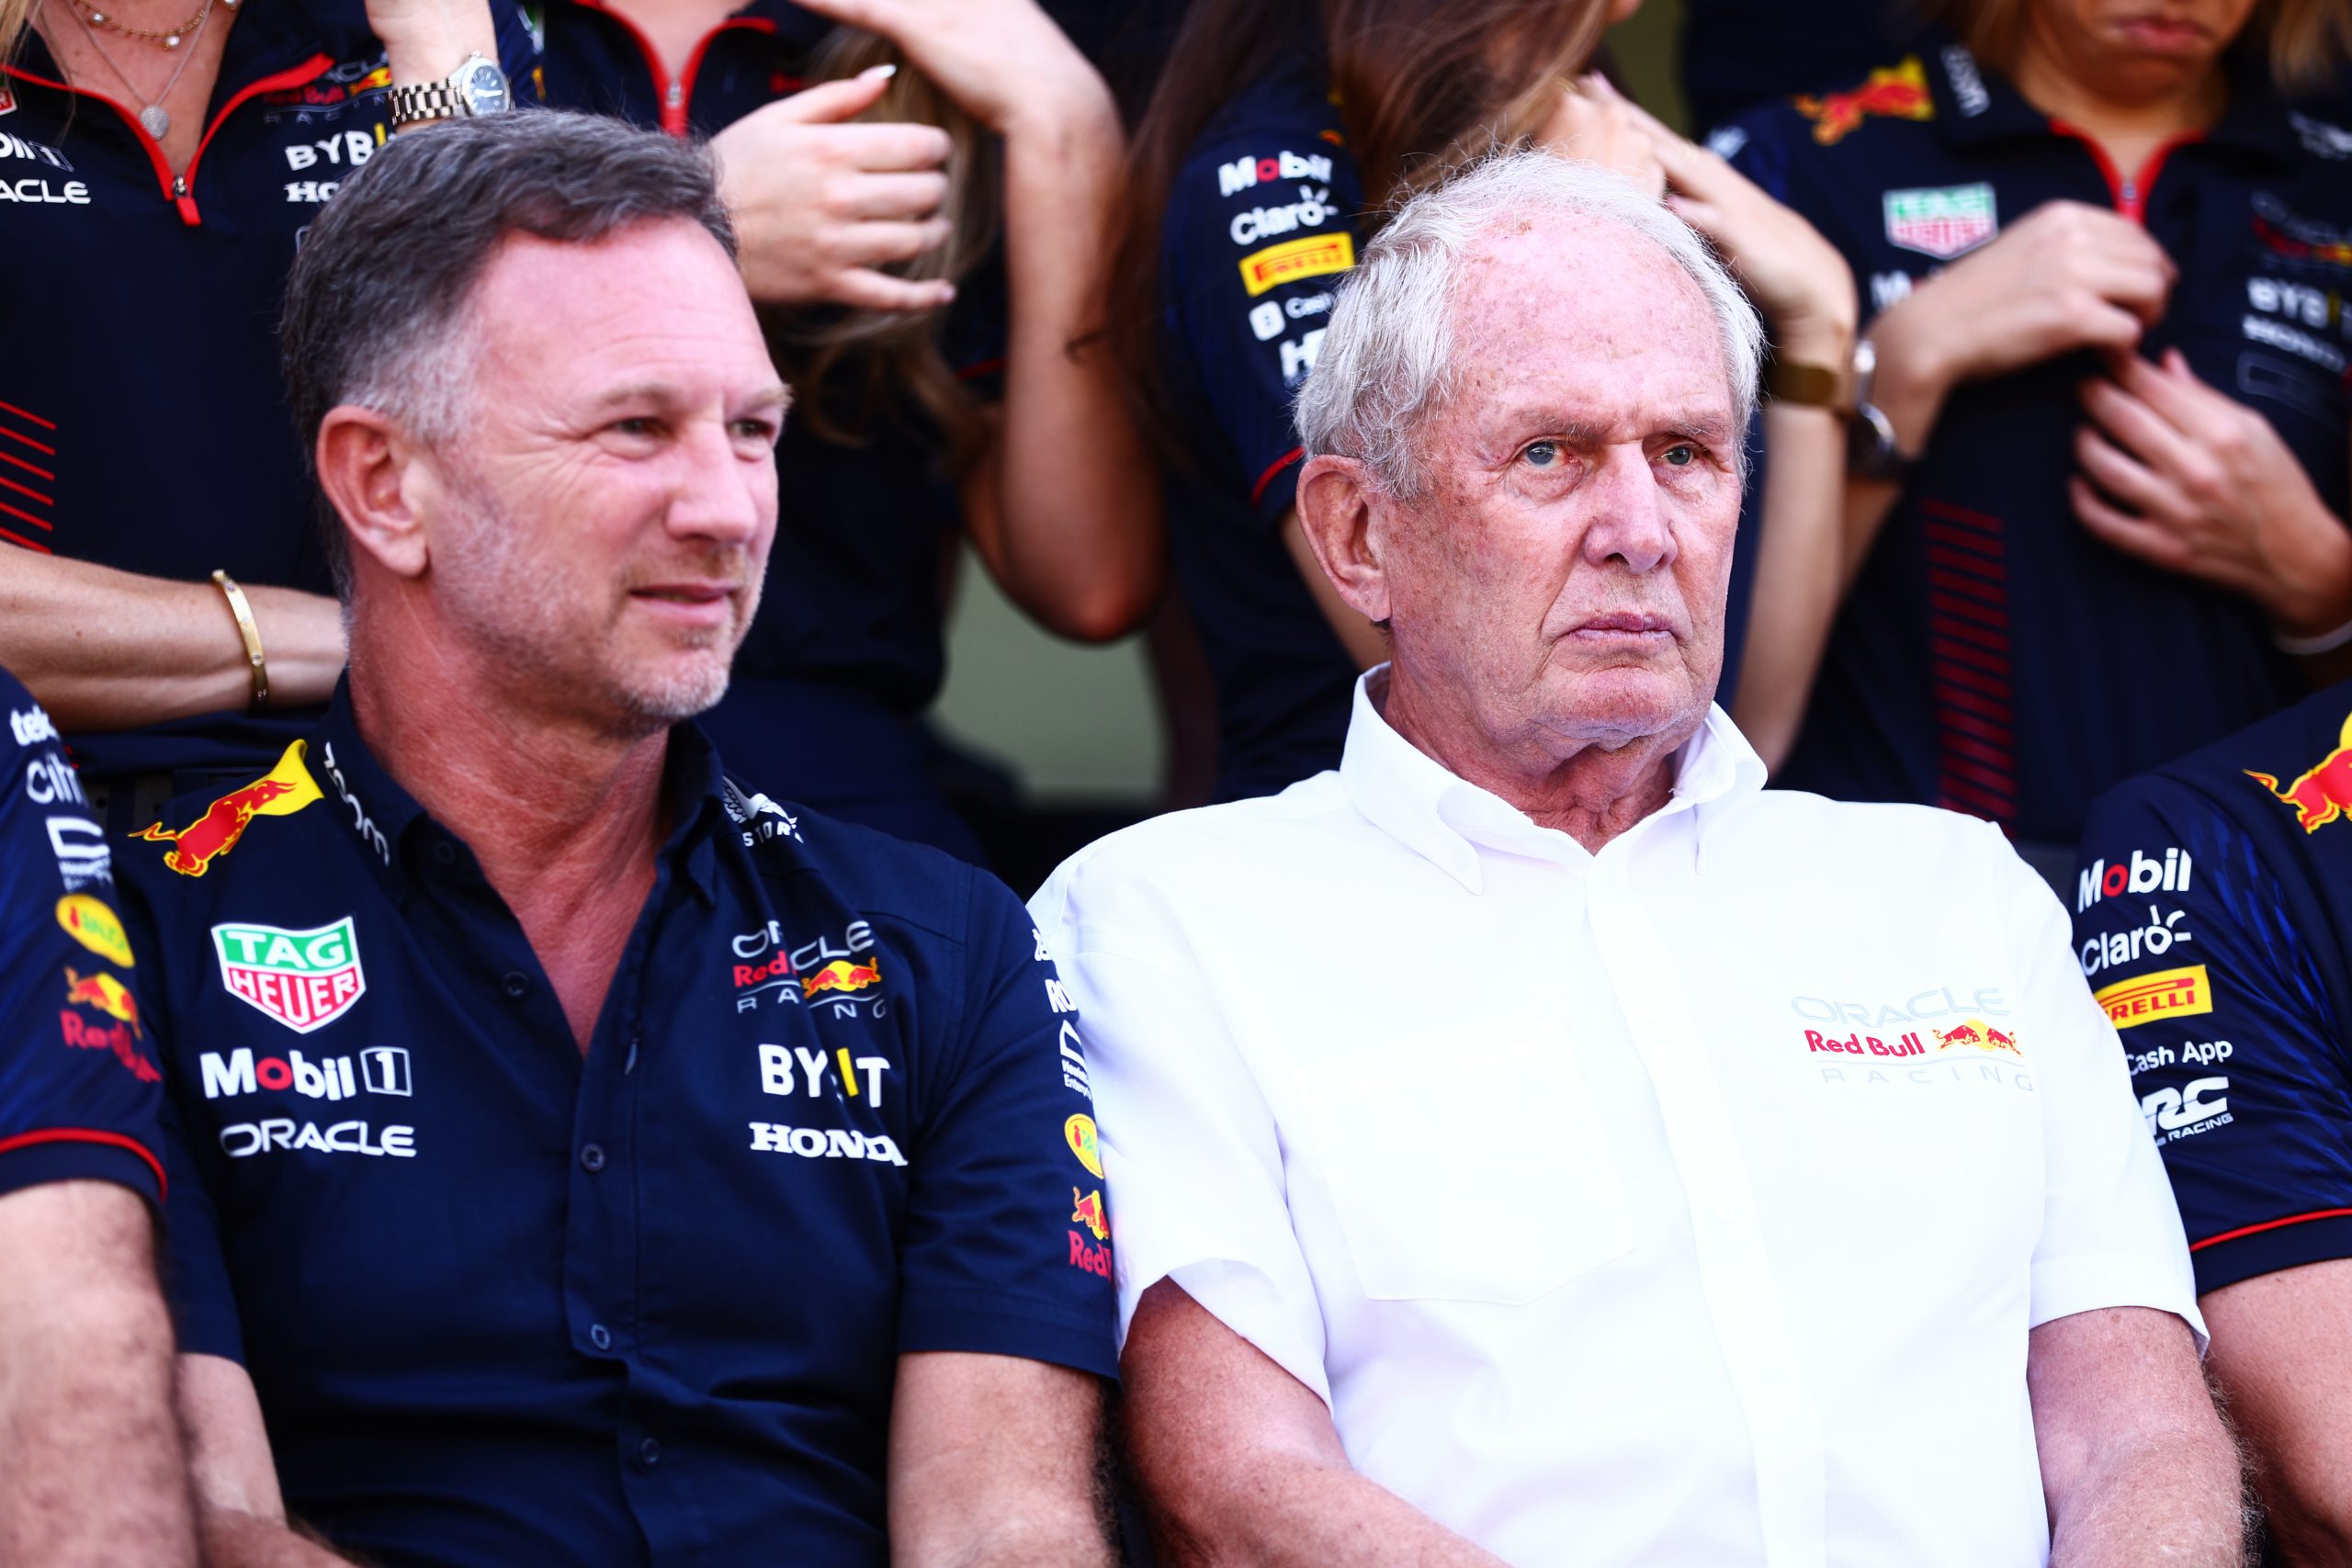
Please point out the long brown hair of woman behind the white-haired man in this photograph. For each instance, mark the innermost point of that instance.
(1419, 86)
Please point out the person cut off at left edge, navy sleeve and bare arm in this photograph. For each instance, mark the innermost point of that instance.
(91, 1463)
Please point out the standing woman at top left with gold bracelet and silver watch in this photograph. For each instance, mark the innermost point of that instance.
(161, 161)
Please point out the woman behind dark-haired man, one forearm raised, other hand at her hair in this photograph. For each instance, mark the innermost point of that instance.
(928, 243)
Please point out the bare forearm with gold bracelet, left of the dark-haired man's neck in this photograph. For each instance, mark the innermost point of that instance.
(114, 650)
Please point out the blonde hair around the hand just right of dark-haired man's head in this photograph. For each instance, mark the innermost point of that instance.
(850, 366)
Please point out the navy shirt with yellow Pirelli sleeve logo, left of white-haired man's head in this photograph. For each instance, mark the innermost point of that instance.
(1262, 222)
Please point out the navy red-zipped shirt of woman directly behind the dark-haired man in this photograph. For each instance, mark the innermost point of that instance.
(848, 648)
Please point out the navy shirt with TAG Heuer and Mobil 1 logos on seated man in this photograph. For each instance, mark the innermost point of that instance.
(514, 1304)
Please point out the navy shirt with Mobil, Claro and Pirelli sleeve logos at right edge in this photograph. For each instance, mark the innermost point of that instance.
(2214, 916)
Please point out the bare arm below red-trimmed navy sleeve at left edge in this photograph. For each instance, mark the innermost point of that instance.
(91, 1466)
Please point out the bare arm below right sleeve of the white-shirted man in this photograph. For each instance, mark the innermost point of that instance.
(2134, 1459)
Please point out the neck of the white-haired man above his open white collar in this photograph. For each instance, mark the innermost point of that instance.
(1591, 796)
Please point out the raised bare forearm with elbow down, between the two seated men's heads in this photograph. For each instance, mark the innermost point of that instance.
(1076, 535)
